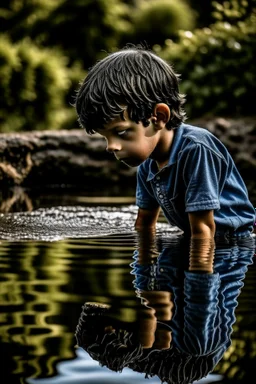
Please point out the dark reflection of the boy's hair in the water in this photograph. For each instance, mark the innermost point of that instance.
(120, 348)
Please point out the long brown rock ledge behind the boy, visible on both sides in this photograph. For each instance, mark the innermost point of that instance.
(72, 159)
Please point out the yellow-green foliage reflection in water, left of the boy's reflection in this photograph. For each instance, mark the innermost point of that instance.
(42, 288)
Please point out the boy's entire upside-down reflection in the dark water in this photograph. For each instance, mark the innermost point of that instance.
(185, 321)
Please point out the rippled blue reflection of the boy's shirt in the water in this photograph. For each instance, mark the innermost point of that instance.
(204, 304)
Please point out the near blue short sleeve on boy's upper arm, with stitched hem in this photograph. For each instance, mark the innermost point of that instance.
(202, 174)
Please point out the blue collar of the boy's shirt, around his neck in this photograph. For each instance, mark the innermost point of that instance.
(175, 148)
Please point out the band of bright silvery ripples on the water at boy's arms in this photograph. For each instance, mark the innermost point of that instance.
(58, 223)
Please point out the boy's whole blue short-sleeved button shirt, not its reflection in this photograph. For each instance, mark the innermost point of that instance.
(200, 175)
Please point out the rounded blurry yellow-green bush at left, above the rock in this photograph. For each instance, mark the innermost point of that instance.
(34, 86)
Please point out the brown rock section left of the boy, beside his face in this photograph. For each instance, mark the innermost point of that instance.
(59, 158)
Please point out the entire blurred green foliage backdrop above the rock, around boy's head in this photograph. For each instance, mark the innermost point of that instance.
(46, 46)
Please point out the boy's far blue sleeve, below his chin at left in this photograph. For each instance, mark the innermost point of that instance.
(145, 198)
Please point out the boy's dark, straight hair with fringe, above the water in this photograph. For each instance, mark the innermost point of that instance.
(133, 78)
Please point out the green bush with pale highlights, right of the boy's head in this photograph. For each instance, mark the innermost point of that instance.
(217, 63)
